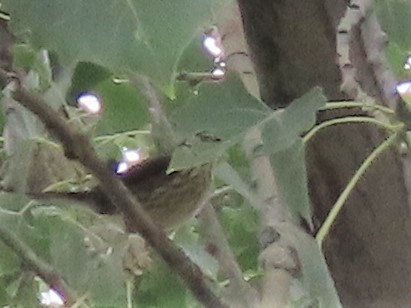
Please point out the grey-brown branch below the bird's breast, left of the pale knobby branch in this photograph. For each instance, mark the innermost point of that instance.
(240, 293)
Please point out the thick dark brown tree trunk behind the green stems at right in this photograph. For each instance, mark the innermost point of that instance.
(292, 45)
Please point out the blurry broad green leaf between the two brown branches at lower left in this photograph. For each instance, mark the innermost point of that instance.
(100, 274)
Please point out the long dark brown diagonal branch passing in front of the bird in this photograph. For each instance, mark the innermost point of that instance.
(77, 146)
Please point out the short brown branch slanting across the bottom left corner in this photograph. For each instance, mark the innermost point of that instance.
(45, 271)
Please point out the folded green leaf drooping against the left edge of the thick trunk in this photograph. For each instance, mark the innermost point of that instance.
(281, 139)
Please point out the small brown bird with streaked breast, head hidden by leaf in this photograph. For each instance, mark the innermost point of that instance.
(169, 199)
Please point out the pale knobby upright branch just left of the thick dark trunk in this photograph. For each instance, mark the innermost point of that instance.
(278, 256)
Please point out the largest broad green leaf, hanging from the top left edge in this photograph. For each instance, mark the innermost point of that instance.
(148, 36)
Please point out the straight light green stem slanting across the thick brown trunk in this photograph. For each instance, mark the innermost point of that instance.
(332, 216)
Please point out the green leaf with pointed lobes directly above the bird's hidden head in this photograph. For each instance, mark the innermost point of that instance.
(224, 110)
